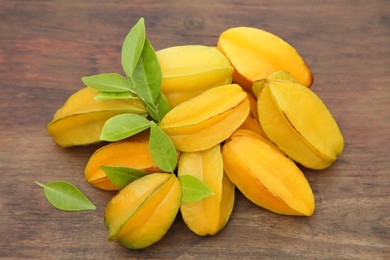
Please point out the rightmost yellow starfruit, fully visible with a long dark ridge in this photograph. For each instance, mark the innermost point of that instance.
(299, 123)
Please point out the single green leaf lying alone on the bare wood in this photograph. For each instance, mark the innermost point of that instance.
(65, 196)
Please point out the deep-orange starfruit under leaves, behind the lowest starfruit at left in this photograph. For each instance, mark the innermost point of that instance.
(133, 153)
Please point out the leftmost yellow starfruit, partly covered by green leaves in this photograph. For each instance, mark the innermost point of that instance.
(80, 120)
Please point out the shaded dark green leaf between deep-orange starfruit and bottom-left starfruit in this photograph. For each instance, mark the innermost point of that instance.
(121, 176)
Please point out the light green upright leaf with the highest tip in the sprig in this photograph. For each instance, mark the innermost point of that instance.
(132, 47)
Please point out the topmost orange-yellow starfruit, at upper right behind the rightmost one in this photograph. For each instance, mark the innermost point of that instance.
(255, 54)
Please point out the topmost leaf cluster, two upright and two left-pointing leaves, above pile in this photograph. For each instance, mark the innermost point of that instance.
(143, 75)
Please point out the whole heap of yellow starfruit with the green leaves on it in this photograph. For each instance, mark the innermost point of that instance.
(188, 124)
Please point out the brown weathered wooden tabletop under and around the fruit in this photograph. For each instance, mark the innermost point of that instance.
(47, 46)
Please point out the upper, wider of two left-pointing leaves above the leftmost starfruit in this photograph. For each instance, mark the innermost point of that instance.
(107, 82)
